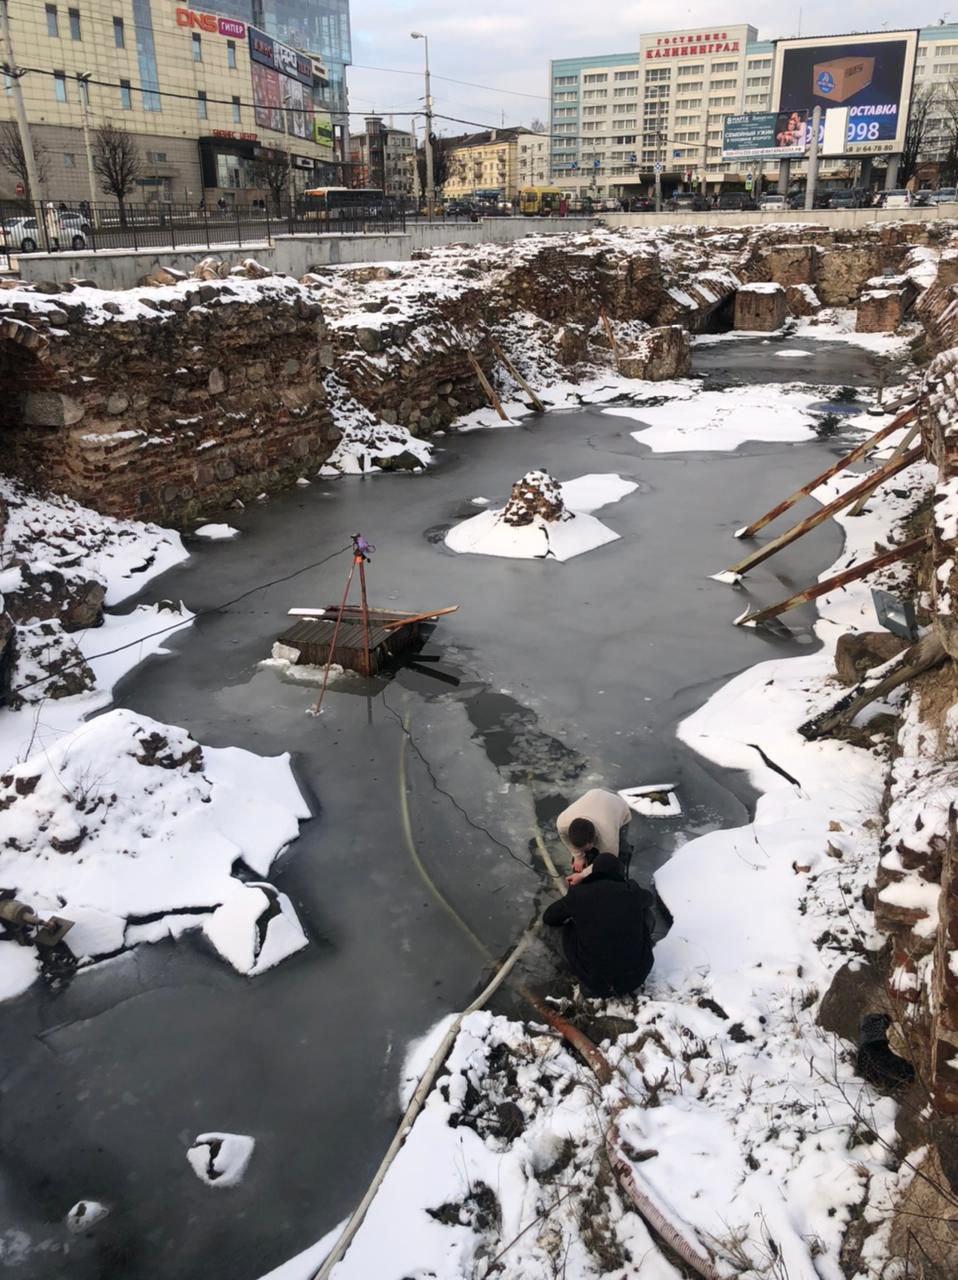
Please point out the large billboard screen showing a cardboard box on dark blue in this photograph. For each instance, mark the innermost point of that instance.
(870, 75)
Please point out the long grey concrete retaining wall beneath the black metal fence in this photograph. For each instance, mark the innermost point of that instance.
(121, 269)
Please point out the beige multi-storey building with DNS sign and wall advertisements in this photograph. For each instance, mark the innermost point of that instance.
(207, 99)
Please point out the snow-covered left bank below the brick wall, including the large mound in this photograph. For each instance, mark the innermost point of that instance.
(115, 821)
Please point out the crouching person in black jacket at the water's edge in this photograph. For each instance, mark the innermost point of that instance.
(606, 930)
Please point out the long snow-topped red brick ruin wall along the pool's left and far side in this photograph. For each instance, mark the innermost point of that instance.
(213, 391)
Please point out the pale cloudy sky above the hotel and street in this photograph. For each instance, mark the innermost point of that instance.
(508, 44)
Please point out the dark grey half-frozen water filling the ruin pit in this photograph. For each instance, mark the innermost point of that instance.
(569, 675)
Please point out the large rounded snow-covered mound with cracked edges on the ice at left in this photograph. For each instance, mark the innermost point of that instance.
(127, 817)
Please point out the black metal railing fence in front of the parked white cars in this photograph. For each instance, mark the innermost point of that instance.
(57, 227)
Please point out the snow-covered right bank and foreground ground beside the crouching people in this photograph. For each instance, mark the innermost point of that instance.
(741, 1119)
